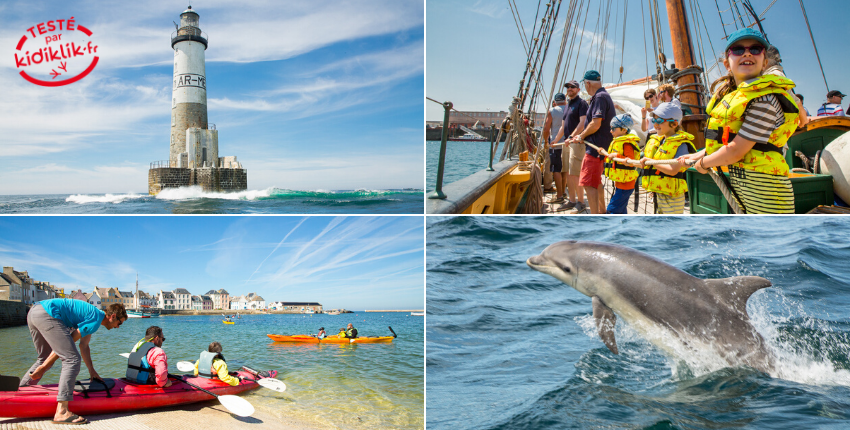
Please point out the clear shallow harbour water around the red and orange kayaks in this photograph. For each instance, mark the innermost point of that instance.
(355, 386)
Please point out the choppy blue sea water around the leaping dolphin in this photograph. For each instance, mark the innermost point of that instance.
(512, 348)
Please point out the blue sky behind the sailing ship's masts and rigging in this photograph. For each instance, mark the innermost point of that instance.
(475, 57)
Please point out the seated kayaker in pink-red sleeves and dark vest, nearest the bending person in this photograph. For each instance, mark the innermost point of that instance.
(148, 363)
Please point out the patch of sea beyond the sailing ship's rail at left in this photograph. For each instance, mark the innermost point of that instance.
(462, 160)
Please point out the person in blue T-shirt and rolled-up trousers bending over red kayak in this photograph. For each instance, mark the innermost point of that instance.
(55, 326)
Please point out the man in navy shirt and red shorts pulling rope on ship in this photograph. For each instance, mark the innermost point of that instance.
(597, 131)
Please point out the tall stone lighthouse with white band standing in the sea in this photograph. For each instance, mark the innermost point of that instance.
(193, 151)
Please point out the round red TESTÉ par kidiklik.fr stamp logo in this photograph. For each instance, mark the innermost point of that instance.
(67, 48)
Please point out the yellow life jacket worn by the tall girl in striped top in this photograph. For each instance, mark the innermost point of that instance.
(729, 112)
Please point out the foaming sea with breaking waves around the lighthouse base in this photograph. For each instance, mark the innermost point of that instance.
(193, 200)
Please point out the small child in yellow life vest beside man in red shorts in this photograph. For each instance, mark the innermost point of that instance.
(624, 145)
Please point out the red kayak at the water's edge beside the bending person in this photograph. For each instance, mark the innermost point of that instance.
(40, 400)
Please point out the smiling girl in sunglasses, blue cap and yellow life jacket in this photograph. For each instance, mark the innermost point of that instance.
(751, 117)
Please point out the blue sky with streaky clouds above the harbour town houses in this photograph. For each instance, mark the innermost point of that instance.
(355, 263)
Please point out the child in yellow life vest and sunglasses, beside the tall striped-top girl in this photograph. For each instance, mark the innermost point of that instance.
(667, 181)
